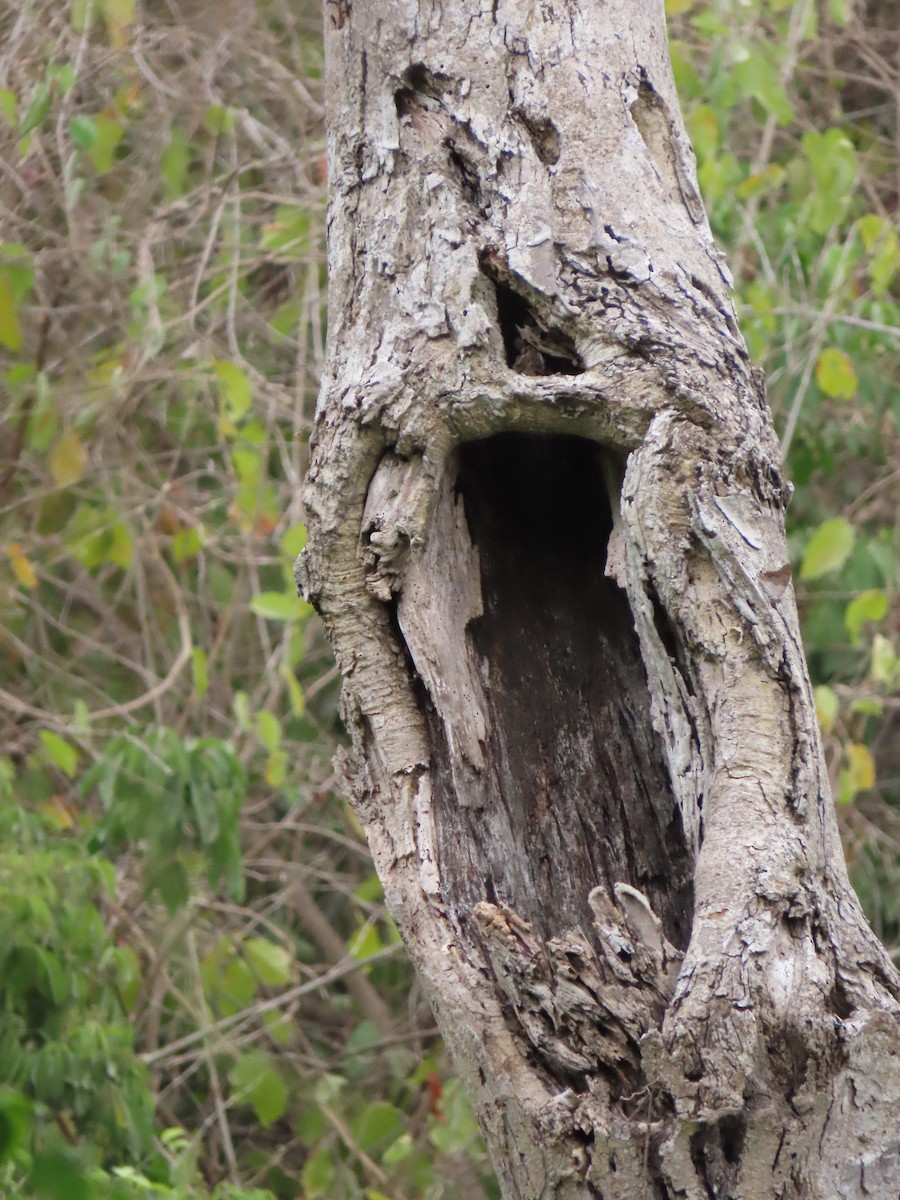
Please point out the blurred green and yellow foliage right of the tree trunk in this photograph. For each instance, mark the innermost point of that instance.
(793, 112)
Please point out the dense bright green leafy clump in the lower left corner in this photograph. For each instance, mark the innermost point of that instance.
(65, 1043)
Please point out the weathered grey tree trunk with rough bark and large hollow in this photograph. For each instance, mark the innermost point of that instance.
(547, 538)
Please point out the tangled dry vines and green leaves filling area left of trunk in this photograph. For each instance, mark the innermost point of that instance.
(201, 992)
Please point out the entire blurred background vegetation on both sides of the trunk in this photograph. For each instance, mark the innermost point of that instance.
(201, 993)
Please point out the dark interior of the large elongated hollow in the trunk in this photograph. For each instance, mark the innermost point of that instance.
(575, 791)
